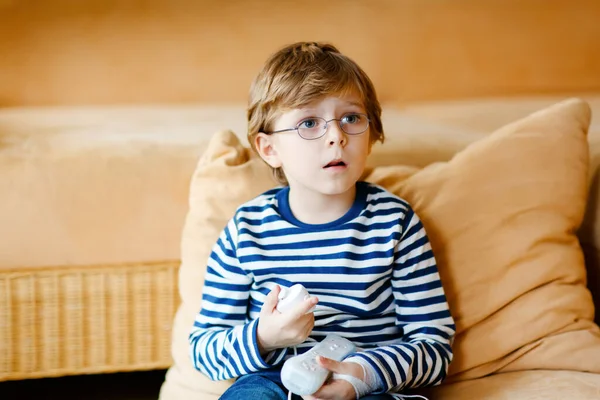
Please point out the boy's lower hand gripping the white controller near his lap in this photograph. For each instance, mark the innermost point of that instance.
(337, 389)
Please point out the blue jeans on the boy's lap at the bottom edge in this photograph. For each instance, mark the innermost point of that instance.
(266, 385)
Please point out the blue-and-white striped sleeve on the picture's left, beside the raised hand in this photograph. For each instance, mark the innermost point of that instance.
(223, 342)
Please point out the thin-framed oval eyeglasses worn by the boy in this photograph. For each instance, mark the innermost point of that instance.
(315, 127)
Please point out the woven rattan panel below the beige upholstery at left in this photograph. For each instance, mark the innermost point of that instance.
(57, 321)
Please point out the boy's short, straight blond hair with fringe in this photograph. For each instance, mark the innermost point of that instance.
(301, 73)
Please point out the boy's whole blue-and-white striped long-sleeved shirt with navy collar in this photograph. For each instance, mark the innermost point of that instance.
(373, 271)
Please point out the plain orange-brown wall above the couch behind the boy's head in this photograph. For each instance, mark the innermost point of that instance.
(155, 51)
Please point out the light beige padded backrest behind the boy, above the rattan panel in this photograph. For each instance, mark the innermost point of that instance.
(110, 185)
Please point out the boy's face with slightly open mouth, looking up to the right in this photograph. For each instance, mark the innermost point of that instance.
(329, 165)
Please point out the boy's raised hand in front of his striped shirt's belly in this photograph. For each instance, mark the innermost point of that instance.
(276, 330)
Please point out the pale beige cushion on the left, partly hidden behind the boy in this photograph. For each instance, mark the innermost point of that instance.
(227, 175)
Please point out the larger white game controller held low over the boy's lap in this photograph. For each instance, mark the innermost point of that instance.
(302, 375)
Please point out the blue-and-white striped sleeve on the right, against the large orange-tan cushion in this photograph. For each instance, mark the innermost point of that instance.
(423, 353)
